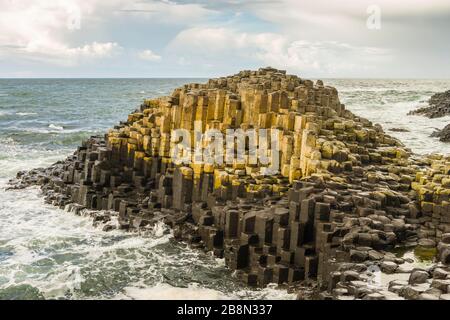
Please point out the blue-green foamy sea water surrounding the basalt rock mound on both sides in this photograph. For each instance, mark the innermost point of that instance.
(47, 253)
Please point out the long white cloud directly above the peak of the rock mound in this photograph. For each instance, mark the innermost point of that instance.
(324, 58)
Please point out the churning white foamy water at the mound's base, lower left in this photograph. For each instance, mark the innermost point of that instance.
(59, 253)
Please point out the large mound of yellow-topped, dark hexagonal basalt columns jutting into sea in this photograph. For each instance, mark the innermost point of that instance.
(346, 197)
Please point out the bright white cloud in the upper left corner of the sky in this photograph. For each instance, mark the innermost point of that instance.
(36, 30)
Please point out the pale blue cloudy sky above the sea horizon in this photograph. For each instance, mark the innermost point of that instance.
(204, 38)
